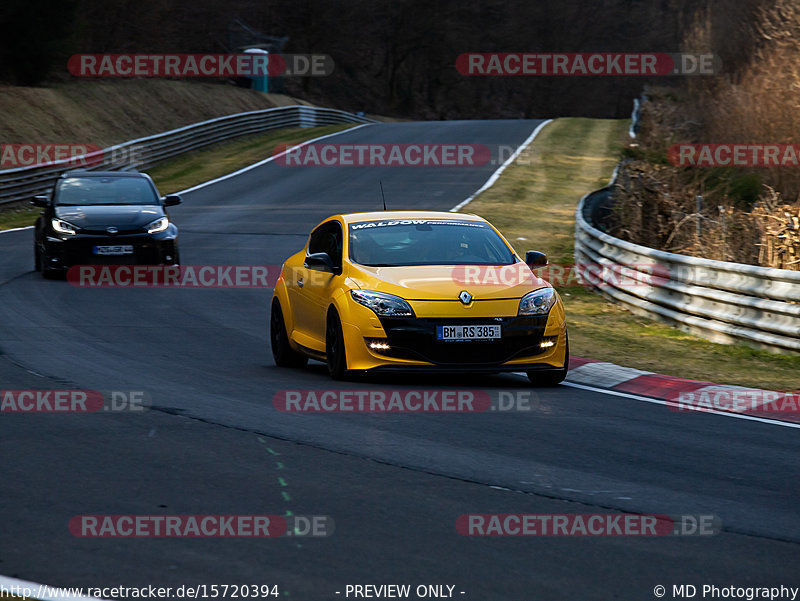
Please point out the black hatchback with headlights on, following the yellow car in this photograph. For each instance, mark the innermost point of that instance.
(104, 217)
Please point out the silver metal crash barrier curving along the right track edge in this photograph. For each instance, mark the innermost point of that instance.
(717, 300)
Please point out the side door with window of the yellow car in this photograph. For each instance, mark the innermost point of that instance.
(314, 288)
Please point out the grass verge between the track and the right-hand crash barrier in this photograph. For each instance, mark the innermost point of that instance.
(533, 204)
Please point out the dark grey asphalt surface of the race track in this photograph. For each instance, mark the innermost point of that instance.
(394, 484)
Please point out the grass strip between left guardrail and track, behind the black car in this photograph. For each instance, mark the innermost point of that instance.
(197, 167)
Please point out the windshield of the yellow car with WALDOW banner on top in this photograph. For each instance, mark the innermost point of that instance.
(392, 243)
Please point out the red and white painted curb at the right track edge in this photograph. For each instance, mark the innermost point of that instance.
(686, 395)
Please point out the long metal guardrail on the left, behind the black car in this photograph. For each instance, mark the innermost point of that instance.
(24, 182)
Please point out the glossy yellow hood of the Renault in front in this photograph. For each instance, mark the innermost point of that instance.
(445, 282)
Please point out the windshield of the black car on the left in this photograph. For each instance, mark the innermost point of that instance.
(79, 191)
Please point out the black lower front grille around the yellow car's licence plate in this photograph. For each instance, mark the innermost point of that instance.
(415, 338)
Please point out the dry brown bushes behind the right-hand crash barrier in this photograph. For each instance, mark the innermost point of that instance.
(748, 215)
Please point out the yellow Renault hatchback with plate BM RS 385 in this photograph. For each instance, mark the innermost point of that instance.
(417, 291)
